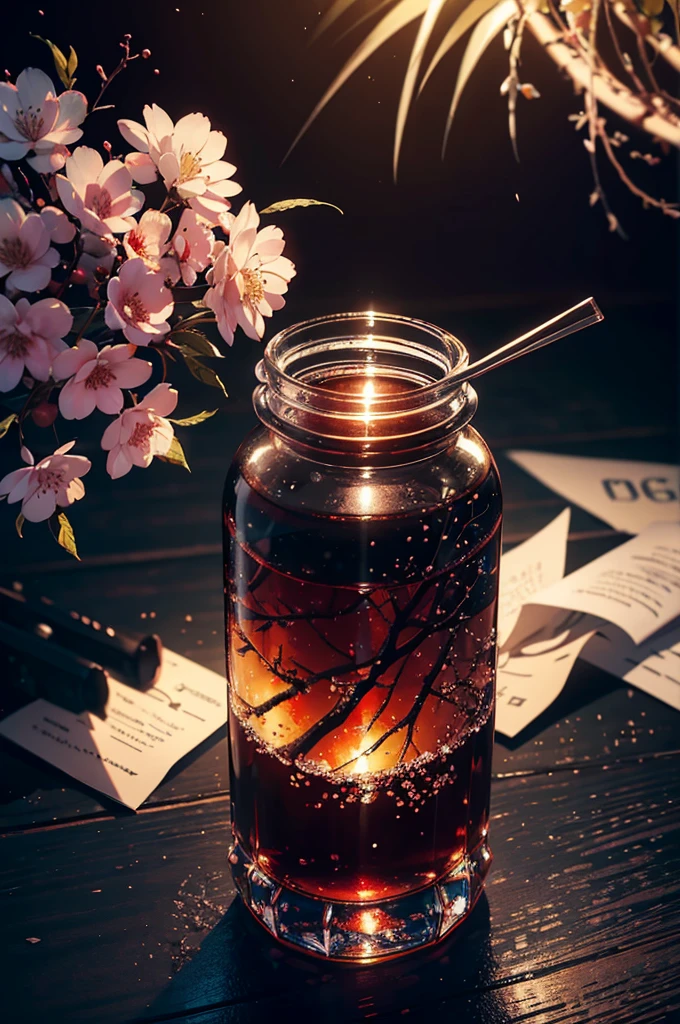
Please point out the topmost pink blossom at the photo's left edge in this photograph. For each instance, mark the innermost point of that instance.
(32, 117)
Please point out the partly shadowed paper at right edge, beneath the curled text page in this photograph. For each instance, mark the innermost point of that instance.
(653, 667)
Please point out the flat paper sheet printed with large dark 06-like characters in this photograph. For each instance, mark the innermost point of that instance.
(629, 496)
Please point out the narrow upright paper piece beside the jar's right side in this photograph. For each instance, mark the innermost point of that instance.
(531, 568)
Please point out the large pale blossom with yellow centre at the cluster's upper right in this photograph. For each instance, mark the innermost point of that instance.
(189, 155)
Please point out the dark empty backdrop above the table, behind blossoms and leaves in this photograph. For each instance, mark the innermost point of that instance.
(447, 232)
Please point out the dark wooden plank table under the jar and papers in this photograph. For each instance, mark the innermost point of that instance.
(136, 914)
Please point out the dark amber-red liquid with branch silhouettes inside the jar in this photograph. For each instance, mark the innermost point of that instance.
(362, 712)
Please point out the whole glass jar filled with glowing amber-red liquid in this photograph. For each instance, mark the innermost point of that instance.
(362, 544)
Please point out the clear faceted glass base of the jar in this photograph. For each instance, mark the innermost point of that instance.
(362, 932)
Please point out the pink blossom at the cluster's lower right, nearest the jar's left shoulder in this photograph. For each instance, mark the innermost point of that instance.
(141, 433)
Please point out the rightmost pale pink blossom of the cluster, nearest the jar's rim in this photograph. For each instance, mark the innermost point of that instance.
(249, 277)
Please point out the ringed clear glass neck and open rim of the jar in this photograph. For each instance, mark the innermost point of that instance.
(368, 388)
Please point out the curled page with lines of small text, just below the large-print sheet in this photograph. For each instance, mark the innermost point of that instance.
(635, 587)
